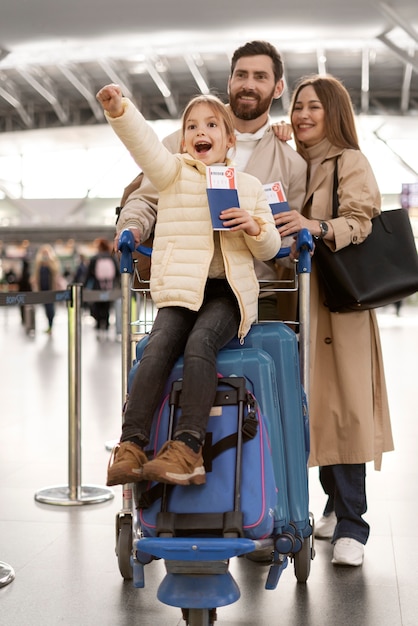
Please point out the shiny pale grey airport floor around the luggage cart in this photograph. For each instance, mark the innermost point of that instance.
(63, 556)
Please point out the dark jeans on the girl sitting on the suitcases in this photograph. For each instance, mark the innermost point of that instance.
(199, 336)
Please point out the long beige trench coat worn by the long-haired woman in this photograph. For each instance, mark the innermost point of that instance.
(349, 412)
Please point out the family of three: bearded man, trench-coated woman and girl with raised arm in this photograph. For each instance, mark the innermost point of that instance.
(205, 282)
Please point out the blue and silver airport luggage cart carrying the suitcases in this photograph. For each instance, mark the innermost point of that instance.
(198, 578)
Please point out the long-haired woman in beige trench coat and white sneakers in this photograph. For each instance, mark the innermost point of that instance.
(349, 414)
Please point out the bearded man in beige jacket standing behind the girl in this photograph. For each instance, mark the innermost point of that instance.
(255, 80)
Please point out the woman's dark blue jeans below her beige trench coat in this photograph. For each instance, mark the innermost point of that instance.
(345, 486)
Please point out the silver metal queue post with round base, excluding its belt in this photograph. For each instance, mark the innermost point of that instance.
(74, 493)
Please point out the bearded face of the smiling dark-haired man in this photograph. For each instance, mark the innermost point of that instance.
(252, 87)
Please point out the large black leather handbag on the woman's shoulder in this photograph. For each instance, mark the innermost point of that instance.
(381, 270)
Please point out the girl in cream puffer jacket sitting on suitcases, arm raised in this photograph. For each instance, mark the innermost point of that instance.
(202, 281)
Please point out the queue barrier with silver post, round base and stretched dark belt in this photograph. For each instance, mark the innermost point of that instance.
(74, 493)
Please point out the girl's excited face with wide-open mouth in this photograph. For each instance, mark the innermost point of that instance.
(205, 136)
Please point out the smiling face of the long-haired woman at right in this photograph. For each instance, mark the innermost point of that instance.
(308, 117)
